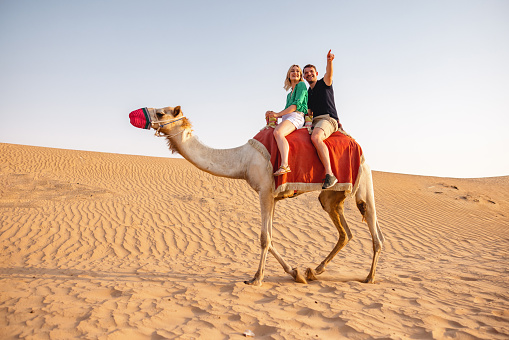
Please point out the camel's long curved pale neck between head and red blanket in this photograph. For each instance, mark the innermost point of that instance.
(219, 162)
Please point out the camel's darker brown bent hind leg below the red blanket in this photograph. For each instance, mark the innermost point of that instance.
(332, 202)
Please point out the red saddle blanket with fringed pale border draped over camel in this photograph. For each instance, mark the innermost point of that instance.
(307, 172)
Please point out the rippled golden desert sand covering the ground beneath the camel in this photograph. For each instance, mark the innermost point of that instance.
(108, 246)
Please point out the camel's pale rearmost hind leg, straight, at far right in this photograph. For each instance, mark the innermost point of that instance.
(365, 198)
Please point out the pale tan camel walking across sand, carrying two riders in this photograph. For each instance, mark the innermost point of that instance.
(247, 163)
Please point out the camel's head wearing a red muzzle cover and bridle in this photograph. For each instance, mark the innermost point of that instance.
(162, 120)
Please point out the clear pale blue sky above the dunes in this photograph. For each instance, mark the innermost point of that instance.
(423, 86)
